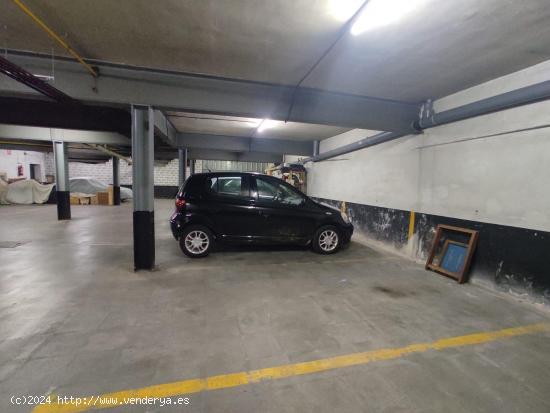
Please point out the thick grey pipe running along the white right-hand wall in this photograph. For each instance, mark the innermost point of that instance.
(519, 97)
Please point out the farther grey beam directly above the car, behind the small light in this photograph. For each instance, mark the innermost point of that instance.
(244, 144)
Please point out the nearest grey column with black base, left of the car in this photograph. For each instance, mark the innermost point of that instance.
(143, 186)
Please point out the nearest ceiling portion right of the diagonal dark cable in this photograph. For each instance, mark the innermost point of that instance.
(445, 47)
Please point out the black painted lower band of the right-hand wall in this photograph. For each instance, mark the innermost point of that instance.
(514, 259)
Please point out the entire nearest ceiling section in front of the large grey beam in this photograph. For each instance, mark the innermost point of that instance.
(442, 47)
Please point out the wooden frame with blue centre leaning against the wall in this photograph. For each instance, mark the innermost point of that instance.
(456, 257)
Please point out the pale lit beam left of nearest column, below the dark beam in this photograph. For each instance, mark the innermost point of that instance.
(34, 133)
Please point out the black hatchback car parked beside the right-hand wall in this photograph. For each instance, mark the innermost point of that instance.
(250, 208)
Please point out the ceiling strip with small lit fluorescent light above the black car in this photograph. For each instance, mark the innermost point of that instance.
(248, 127)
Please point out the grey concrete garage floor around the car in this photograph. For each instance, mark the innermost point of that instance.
(76, 320)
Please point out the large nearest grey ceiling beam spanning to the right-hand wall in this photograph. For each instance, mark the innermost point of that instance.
(119, 84)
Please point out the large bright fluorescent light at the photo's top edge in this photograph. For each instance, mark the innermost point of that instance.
(378, 13)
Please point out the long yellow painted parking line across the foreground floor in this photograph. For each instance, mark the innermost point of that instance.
(185, 387)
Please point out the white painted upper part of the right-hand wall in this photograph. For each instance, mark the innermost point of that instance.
(455, 170)
